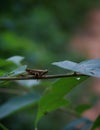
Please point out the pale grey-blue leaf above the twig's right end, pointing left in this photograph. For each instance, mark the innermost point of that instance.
(88, 67)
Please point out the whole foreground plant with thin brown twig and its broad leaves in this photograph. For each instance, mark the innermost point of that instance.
(54, 96)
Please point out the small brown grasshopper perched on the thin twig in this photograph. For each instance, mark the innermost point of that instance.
(36, 72)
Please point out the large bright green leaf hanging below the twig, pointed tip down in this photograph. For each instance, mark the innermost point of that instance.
(56, 96)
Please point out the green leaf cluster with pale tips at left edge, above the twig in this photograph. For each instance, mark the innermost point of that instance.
(10, 64)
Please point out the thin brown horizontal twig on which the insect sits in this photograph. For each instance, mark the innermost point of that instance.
(28, 77)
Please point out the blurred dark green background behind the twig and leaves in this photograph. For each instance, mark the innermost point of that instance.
(40, 31)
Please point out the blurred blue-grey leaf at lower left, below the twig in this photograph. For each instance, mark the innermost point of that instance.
(17, 103)
